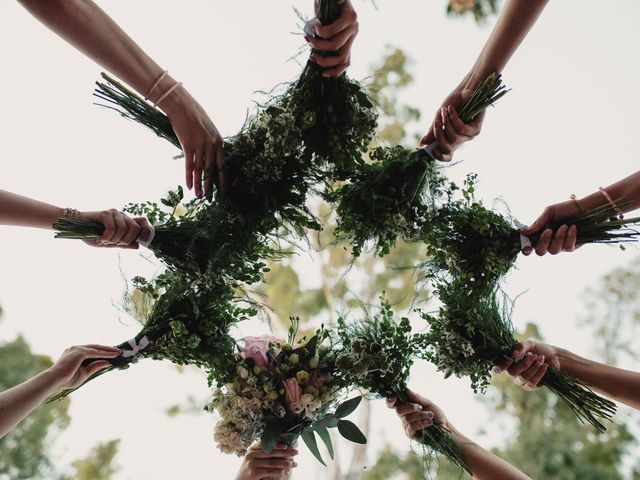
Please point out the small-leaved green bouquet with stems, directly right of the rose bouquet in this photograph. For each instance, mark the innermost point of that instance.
(376, 353)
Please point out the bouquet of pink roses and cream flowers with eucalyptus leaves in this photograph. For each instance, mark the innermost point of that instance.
(282, 391)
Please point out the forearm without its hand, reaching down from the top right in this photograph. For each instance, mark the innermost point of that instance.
(514, 22)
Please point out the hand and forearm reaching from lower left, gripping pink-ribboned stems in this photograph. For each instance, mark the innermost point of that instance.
(68, 372)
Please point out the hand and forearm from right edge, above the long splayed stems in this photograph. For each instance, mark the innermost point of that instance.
(532, 358)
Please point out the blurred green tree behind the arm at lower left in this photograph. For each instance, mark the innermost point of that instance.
(24, 452)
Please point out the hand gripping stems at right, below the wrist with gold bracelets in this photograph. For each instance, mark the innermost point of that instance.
(564, 238)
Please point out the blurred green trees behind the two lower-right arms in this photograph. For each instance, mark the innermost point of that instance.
(548, 441)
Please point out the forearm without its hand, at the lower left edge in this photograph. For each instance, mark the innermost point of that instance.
(19, 401)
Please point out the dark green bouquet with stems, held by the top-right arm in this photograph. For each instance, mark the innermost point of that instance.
(393, 195)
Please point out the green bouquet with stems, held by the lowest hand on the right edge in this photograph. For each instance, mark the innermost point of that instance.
(472, 332)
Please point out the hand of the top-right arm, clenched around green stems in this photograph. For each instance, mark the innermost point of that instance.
(448, 131)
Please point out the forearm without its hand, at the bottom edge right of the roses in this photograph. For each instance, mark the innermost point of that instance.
(483, 464)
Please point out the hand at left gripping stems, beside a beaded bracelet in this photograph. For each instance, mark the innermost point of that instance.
(119, 229)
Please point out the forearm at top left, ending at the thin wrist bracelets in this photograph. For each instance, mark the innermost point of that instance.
(85, 26)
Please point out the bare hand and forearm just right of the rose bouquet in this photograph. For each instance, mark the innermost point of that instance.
(421, 413)
